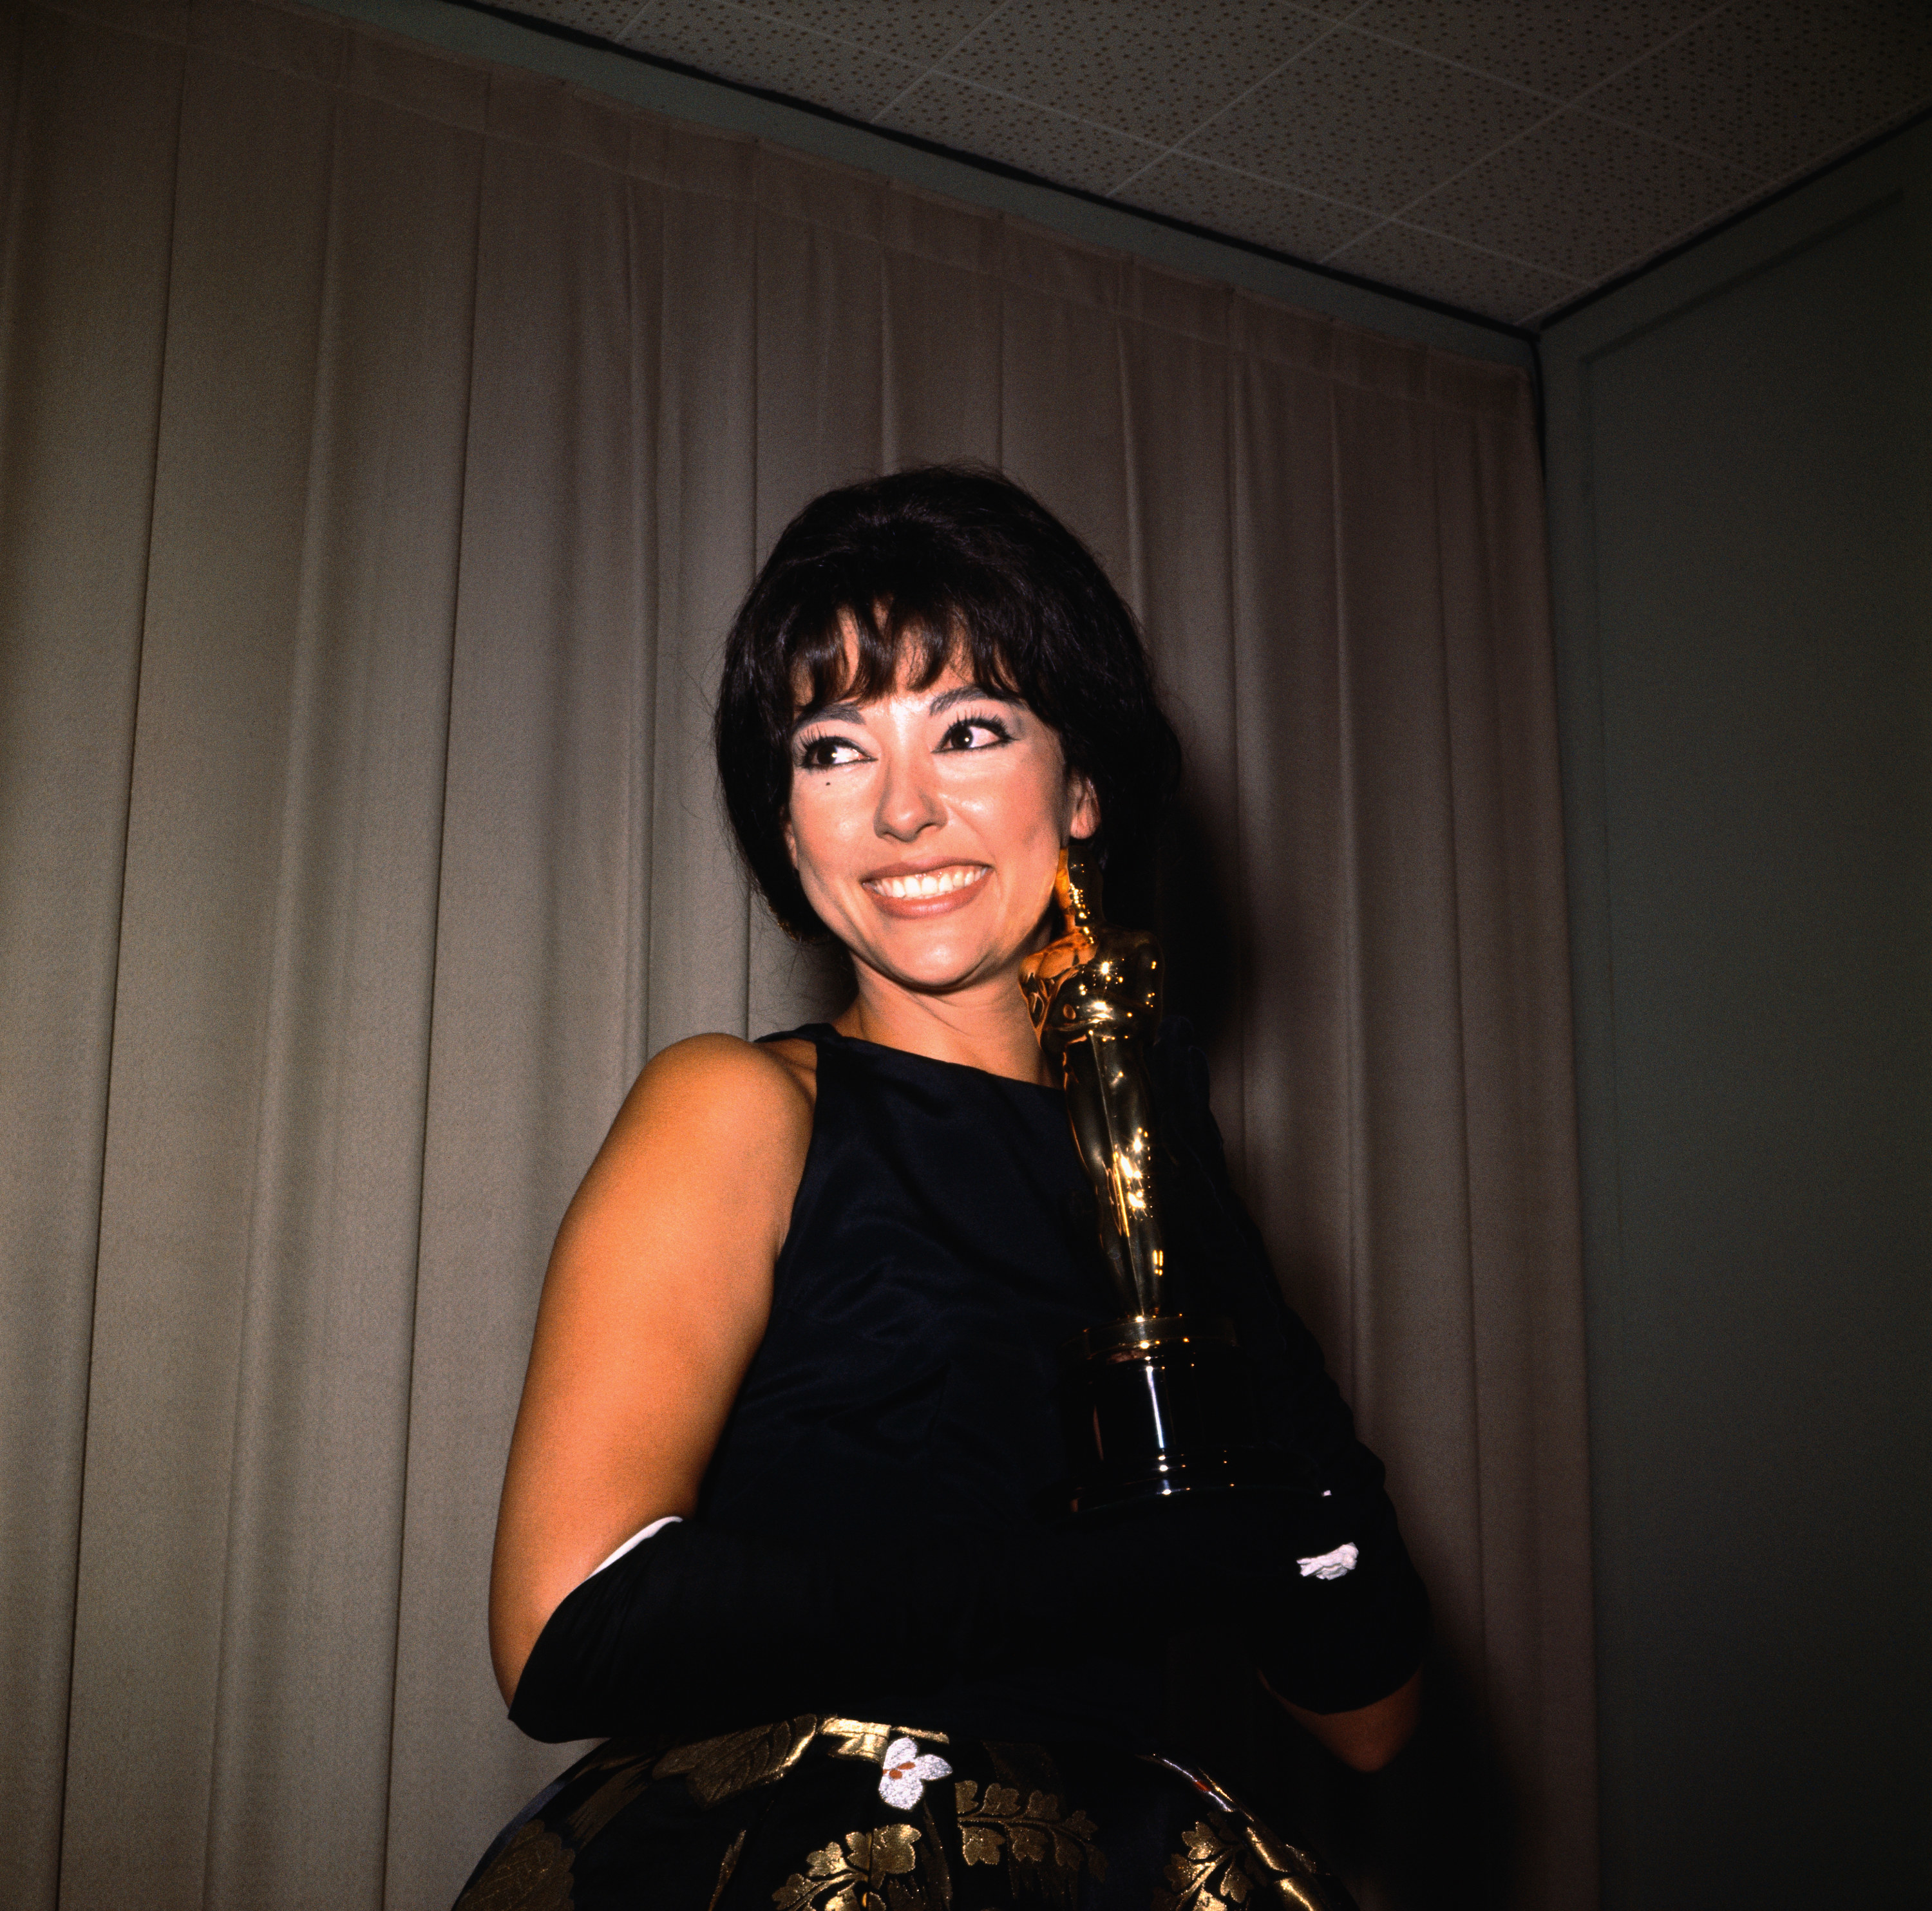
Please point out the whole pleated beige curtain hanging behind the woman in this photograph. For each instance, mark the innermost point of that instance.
(384, 445)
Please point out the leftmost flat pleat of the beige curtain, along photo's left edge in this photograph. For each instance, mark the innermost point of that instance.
(90, 140)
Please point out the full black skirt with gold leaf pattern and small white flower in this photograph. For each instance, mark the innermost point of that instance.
(843, 1815)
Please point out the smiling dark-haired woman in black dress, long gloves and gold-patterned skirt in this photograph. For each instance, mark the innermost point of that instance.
(778, 1504)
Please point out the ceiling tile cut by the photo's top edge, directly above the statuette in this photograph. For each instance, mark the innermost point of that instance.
(1152, 69)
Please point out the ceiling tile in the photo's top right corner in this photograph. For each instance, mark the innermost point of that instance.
(1782, 84)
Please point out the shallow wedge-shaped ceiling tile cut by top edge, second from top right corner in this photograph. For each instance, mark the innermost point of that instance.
(1558, 47)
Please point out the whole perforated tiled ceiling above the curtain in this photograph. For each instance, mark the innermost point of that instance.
(1500, 156)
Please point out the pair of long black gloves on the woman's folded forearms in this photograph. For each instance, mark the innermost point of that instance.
(698, 1630)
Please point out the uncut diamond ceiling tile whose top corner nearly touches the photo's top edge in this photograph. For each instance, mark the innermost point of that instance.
(1367, 123)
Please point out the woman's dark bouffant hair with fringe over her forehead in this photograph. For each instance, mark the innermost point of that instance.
(930, 565)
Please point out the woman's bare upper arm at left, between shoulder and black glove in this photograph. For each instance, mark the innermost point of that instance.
(656, 1299)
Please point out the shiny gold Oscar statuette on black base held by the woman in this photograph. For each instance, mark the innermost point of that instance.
(1156, 1402)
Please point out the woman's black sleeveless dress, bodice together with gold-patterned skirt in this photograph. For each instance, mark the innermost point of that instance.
(942, 1249)
